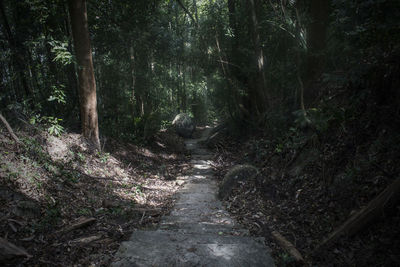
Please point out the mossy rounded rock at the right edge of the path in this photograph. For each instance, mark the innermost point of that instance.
(236, 174)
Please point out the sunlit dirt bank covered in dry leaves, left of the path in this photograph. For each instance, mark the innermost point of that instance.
(63, 205)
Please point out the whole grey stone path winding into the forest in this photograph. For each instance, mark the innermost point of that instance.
(198, 231)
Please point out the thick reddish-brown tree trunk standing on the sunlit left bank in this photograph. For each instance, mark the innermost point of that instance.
(87, 84)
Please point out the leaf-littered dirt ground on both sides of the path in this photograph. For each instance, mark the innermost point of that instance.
(63, 205)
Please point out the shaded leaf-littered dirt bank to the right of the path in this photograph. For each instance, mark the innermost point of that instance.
(305, 211)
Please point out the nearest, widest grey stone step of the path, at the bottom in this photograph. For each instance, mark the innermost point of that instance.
(171, 248)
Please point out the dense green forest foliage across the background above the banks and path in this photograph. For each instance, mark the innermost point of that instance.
(157, 63)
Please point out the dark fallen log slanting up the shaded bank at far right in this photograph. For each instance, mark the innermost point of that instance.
(366, 215)
